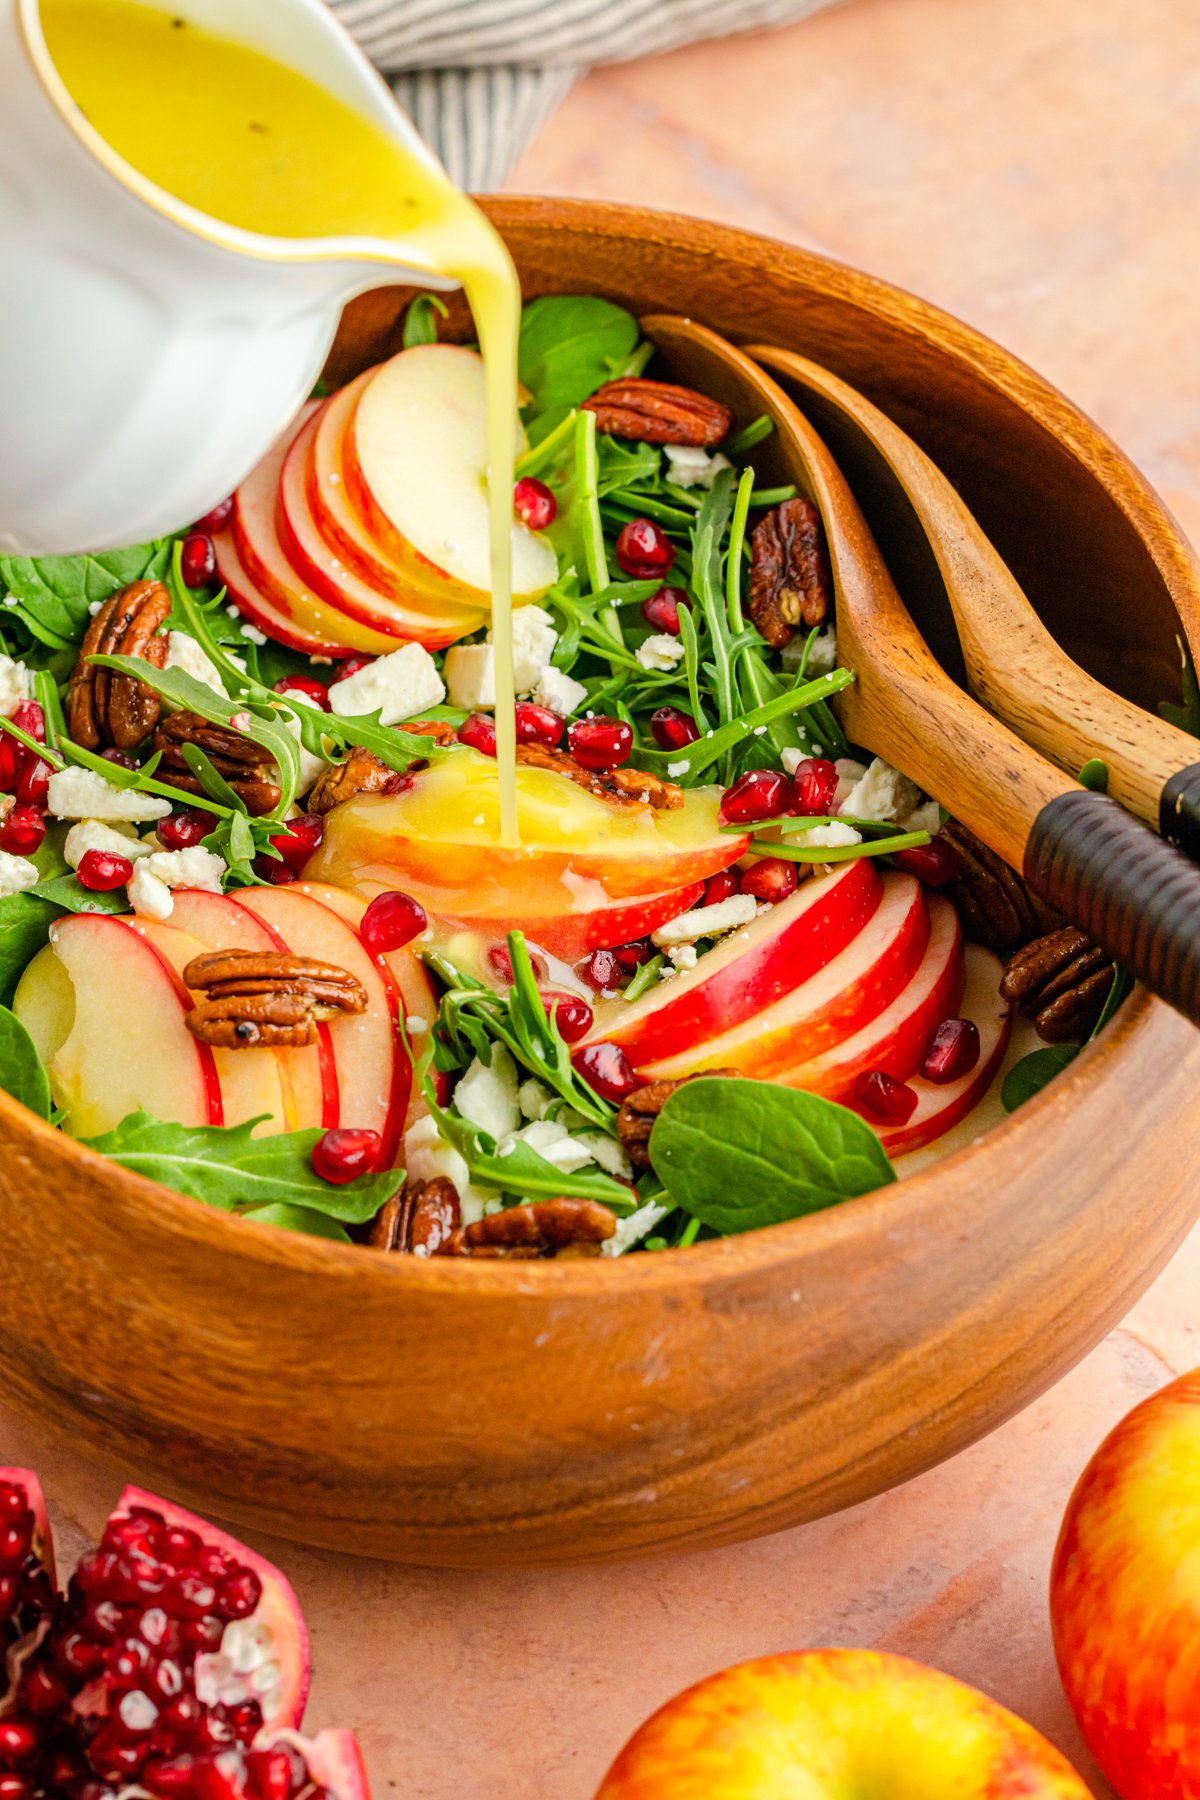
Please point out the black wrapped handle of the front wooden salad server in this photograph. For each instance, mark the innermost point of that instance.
(1133, 894)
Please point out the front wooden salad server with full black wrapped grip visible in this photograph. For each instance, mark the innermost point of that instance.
(1080, 852)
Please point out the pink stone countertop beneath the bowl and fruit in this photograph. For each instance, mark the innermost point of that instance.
(1034, 168)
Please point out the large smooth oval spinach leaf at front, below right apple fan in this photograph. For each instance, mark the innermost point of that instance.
(742, 1155)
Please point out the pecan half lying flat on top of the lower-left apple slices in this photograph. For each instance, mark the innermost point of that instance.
(260, 1000)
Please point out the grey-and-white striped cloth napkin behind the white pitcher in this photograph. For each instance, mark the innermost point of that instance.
(479, 78)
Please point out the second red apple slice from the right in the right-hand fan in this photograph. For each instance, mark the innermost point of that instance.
(895, 1038)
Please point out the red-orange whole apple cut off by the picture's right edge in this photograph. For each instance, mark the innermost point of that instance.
(1125, 1599)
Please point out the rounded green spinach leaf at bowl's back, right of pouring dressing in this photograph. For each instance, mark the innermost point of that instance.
(569, 346)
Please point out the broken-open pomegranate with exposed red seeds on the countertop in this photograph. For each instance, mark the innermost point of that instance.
(175, 1666)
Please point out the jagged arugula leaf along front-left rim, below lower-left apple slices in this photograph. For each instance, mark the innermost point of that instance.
(228, 1167)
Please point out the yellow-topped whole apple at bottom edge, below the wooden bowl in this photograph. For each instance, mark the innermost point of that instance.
(823, 1725)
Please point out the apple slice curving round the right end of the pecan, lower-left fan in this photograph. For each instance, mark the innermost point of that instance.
(373, 1070)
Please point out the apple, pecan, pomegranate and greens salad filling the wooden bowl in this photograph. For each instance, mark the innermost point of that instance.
(260, 933)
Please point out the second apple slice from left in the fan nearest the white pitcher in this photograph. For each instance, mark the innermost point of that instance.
(409, 609)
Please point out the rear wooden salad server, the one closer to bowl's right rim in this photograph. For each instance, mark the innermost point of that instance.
(1014, 665)
